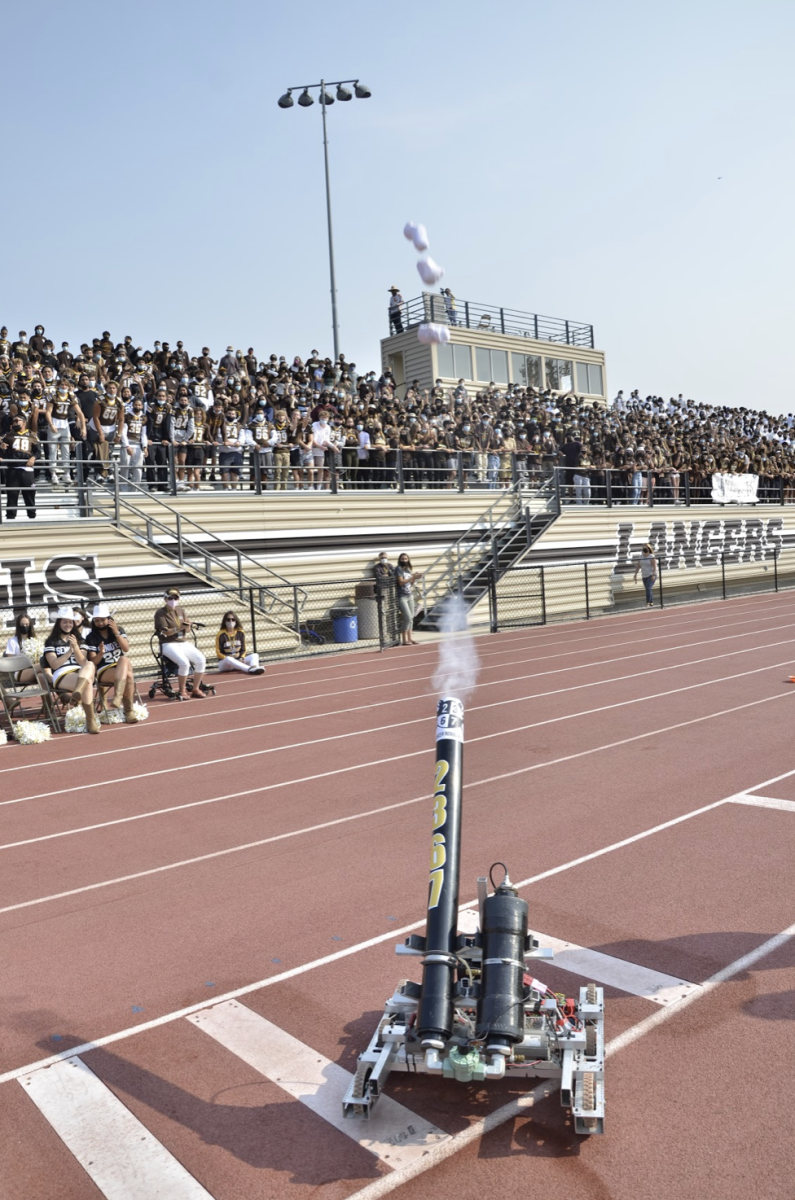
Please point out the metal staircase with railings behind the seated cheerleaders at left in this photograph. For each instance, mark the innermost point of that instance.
(202, 554)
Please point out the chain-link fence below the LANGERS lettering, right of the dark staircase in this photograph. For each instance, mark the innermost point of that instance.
(539, 595)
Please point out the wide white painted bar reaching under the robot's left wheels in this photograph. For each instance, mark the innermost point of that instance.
(394, 1136)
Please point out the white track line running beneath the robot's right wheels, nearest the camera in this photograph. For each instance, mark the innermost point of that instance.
(522, 1105)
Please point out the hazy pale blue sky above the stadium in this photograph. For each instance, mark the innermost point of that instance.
(566, 160)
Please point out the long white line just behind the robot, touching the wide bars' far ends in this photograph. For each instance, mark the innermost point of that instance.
(346, 952)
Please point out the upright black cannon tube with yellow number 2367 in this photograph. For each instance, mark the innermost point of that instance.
(435, 1016)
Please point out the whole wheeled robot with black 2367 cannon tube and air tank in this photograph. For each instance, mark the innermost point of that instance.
(479, 1015)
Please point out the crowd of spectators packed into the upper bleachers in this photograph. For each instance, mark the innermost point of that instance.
(174, 418)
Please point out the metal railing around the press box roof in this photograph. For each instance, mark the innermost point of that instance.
(497, 320)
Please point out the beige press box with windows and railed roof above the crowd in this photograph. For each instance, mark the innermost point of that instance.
(497, 345)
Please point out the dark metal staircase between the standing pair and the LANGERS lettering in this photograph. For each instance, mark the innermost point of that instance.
(495, 542)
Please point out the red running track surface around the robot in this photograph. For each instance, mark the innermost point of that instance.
(170, 865)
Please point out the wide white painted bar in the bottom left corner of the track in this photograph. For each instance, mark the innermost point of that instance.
(113, 1148)
